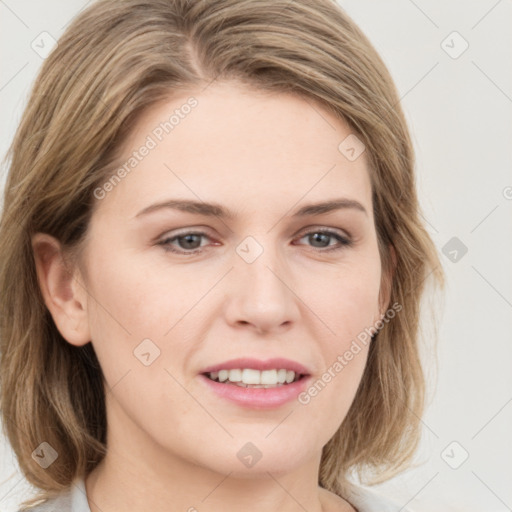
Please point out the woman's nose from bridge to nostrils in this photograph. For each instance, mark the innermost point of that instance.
(262, 294)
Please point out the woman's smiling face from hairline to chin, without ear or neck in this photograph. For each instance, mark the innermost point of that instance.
(174, 292)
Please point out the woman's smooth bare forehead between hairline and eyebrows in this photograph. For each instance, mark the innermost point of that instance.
(239, 147)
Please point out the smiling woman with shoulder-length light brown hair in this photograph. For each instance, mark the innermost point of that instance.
(212, 264)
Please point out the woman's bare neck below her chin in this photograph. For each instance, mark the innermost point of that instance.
(115, 485)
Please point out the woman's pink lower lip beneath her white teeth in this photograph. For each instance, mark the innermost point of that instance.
(257, 398)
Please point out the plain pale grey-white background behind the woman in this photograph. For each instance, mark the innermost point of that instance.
(451, 63)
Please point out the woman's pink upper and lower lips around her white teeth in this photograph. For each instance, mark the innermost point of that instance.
(258, 398)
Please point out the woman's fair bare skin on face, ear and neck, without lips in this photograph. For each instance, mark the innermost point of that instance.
(172, 442)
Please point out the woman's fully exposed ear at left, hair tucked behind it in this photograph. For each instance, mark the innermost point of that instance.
(63, 294)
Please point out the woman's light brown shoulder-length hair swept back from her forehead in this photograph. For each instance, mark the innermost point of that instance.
(116, 59)
